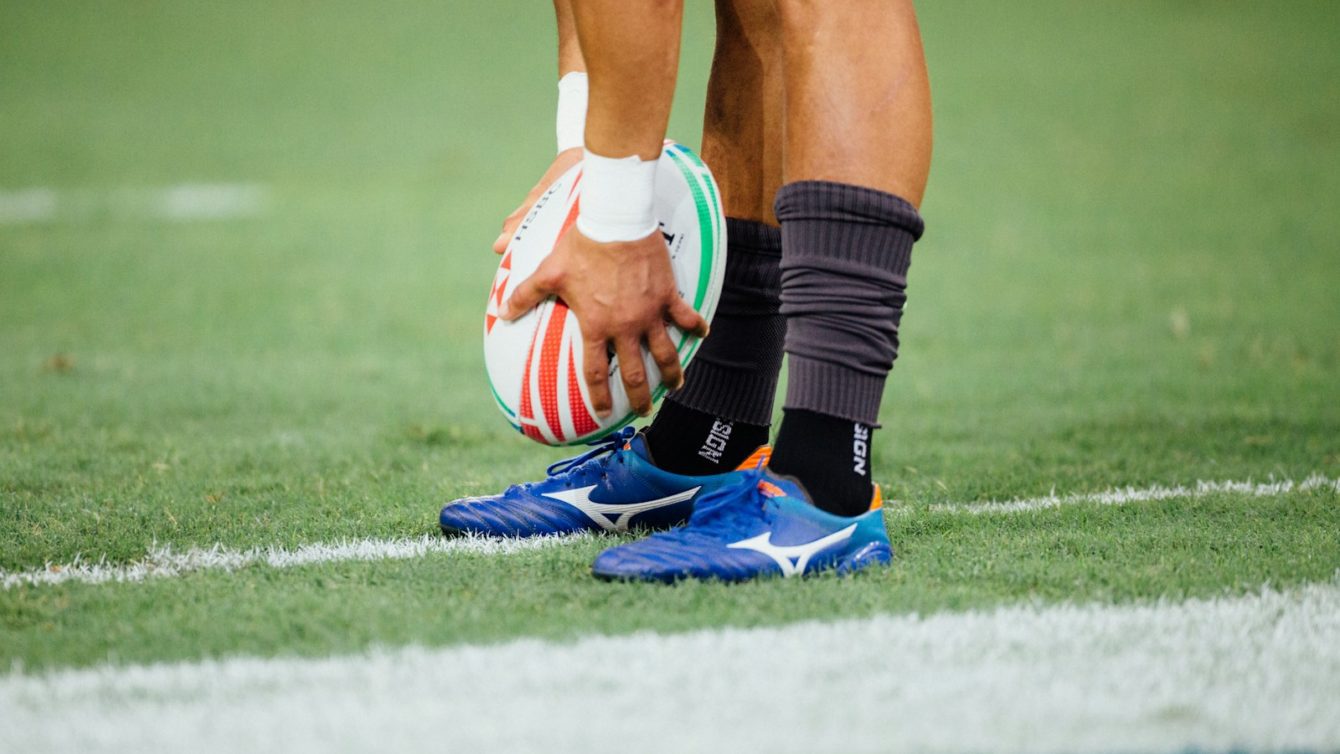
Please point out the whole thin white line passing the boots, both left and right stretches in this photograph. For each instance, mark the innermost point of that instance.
(164, 562)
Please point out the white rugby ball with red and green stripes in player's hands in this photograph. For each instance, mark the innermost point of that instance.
(535, 362)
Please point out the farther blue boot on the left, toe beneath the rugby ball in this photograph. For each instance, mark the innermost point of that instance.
(612, 488)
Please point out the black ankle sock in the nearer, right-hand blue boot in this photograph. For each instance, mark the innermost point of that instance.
(830, 457)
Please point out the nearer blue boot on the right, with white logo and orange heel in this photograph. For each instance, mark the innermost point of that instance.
(763, 526)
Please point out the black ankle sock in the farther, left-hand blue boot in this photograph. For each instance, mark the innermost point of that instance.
(685, 441)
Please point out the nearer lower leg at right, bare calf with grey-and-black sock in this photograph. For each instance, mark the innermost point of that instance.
(857, 156)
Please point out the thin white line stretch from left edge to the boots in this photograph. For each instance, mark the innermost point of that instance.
(163, 562)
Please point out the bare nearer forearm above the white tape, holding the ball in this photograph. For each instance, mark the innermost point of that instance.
(632, 53)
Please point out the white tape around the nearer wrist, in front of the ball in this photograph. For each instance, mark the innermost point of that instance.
(618, 199)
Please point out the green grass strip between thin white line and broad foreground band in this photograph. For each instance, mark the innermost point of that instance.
(947, 562)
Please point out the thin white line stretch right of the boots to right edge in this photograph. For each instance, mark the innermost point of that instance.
(1148, 495)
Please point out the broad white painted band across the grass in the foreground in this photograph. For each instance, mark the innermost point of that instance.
(1244, 674)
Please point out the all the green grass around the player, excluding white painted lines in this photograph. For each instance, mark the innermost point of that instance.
(1129, 278)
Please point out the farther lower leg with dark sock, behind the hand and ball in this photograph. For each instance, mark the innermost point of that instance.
(726, 409)
